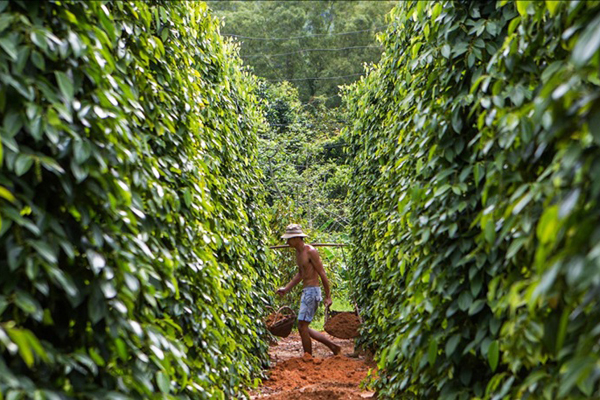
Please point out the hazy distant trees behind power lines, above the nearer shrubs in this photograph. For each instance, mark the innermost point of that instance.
(283, 40)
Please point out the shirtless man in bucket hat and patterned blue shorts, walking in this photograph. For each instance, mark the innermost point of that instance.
(310, 269)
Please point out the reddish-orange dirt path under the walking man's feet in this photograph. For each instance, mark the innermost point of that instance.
(323, 377)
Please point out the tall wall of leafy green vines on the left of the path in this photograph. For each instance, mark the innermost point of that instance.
(131, 247)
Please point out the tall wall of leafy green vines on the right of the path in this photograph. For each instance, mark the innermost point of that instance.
(476, 222)
